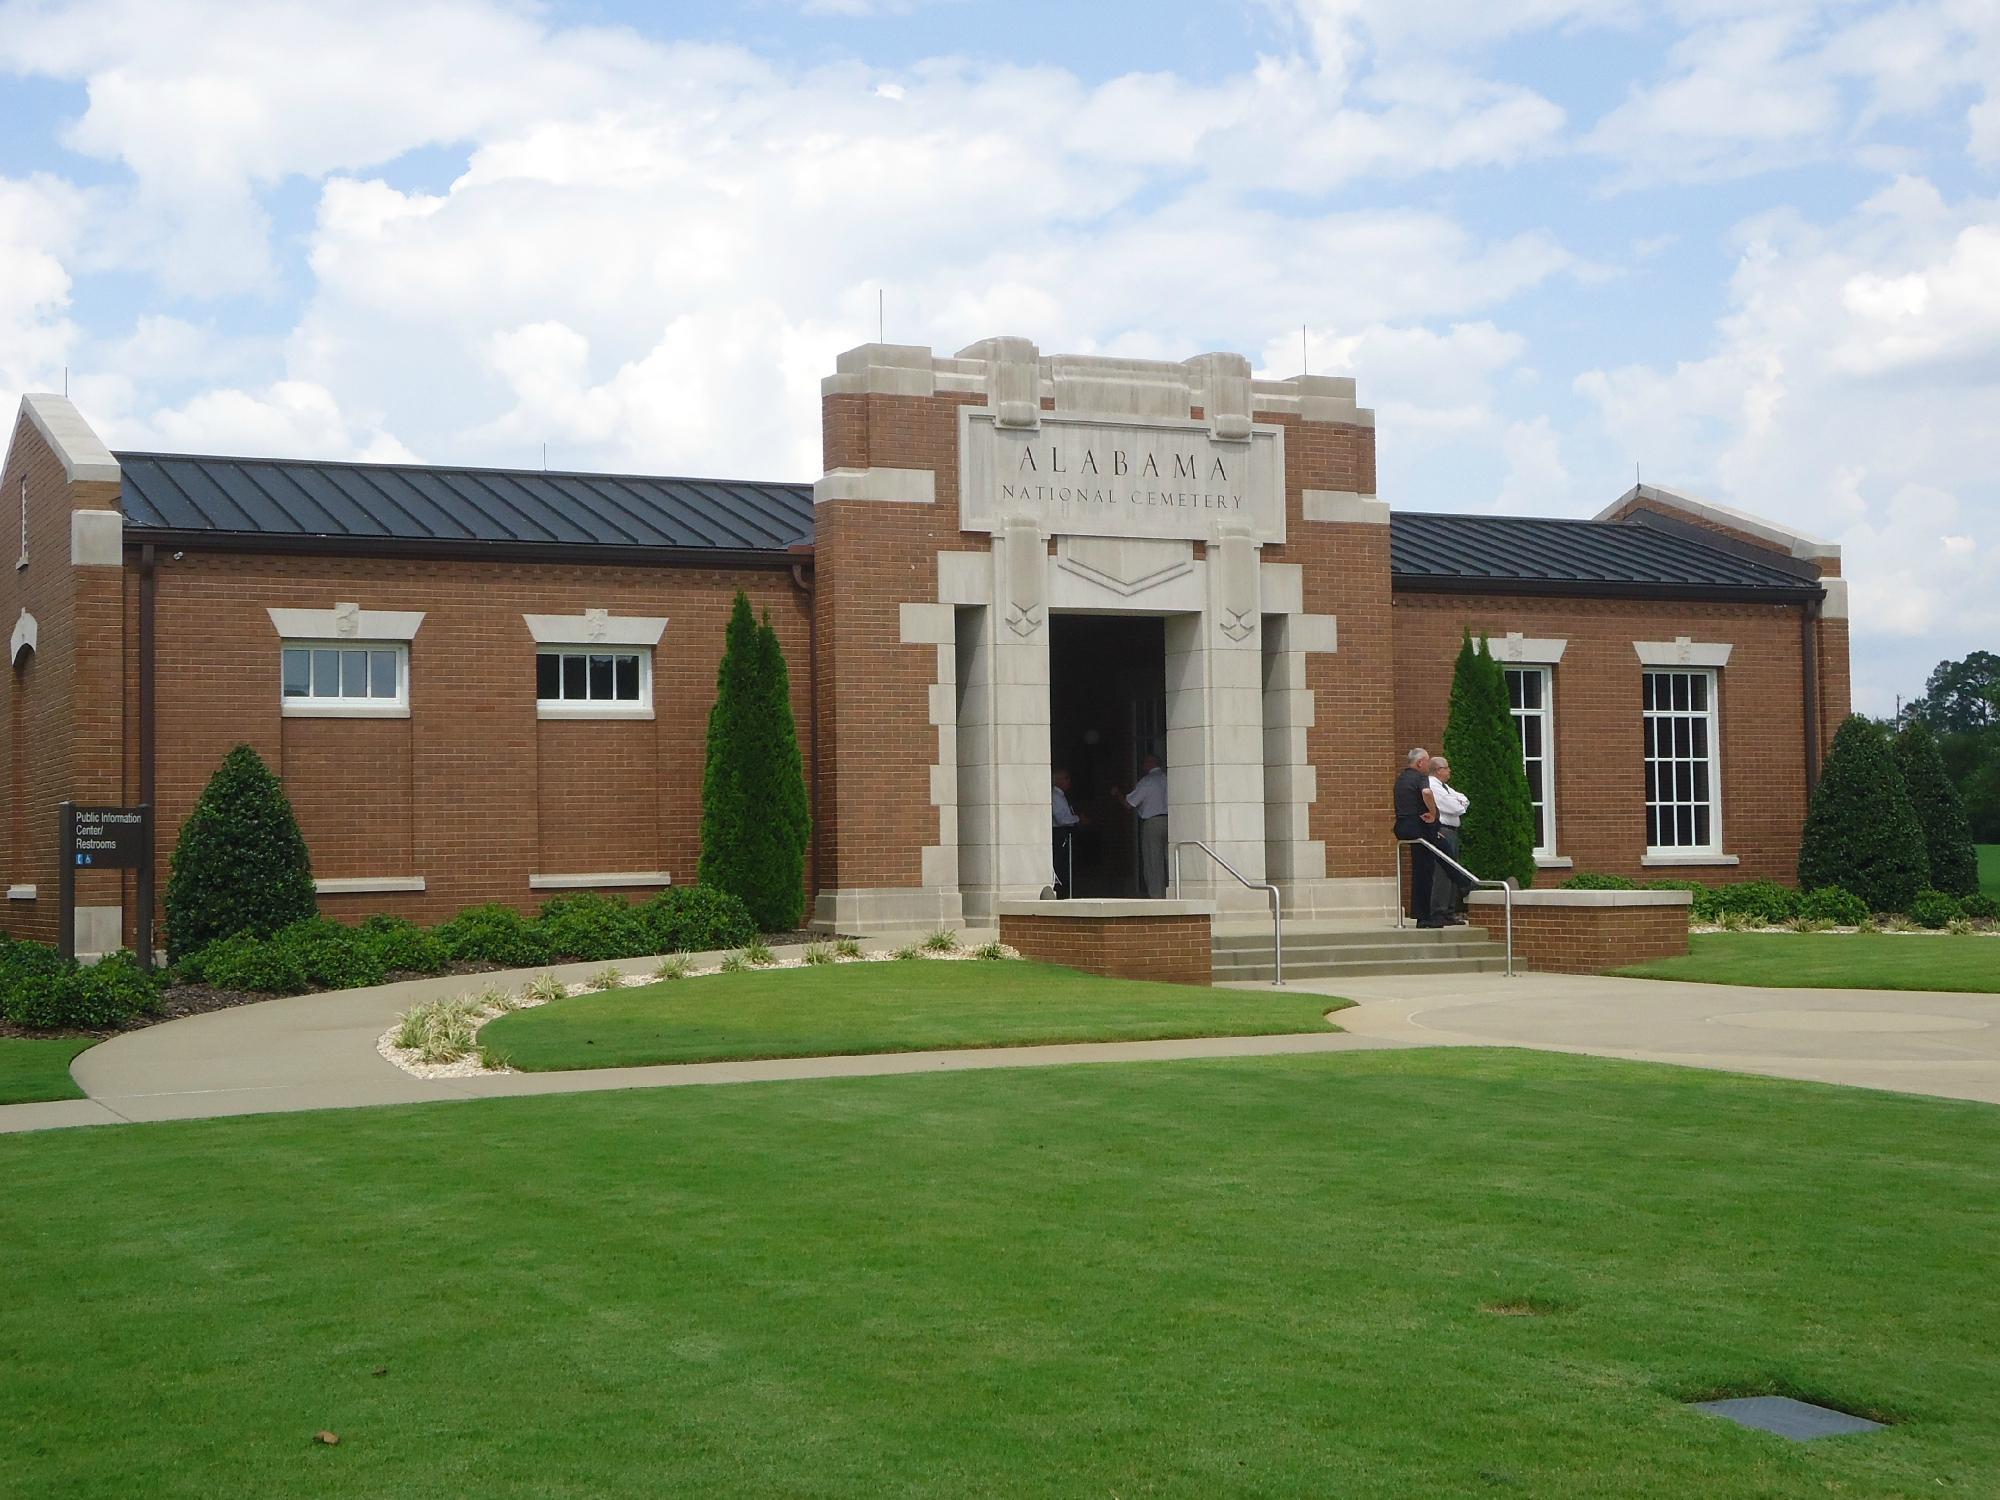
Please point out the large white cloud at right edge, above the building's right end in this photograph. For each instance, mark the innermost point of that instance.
(1851, 395)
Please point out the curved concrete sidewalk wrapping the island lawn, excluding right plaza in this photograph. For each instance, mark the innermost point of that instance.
(319, 1053)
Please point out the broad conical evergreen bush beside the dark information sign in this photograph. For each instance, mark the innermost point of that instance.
(241, 863)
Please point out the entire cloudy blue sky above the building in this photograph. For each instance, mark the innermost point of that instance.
(1743, 247)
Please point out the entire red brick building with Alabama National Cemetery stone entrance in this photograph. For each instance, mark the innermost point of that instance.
(493, 685)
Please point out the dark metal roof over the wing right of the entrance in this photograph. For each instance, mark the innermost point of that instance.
(1527, 555)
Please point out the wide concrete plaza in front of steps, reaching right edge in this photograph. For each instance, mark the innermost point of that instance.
(1909, 1041)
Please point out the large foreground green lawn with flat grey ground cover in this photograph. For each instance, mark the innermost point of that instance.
(1219, 1279)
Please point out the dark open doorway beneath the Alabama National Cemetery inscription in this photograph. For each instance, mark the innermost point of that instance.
(1107, 707)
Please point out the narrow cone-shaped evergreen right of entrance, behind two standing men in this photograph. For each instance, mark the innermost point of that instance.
(1483, 745)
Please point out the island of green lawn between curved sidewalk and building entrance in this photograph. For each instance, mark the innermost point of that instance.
(903, 1007)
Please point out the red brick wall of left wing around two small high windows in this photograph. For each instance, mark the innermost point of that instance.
(473, 791)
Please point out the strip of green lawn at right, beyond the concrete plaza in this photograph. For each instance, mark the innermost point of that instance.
(1833, 961)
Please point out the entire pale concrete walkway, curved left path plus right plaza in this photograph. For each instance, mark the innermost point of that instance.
(315, 1053)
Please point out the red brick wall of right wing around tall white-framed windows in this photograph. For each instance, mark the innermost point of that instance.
(1601, 777)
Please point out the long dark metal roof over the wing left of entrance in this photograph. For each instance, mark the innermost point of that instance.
(287, 499)
